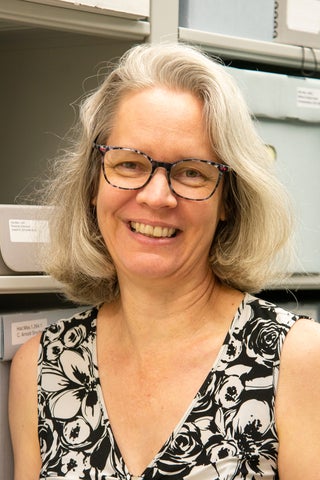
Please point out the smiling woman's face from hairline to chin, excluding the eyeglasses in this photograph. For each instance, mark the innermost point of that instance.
(168, 125)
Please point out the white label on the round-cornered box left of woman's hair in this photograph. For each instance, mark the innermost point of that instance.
(29, 231)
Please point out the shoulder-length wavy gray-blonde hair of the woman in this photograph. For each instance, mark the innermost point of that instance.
(249, 250)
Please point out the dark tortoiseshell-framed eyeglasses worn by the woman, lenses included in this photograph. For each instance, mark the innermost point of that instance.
(131, 169)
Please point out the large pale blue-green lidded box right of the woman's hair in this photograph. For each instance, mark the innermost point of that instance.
(287, 114)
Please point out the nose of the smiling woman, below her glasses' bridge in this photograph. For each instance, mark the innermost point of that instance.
(157, 193)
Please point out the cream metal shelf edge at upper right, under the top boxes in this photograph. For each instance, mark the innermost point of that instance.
(247, 49)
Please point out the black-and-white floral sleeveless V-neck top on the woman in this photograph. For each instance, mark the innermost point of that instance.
(227, 433)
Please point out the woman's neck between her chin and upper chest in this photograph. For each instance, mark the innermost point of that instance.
(154, 316)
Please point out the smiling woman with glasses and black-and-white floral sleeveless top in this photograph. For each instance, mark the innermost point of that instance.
(167, 215)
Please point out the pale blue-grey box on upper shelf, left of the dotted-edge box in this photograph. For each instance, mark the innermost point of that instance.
(239, 18)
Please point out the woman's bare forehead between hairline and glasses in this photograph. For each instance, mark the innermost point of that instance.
(159, 119)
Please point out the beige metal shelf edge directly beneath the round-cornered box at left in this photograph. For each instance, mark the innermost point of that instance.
(16, 284)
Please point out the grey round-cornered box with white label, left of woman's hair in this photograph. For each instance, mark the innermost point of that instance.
(23, 230)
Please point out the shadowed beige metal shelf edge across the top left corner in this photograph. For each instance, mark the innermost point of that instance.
(20, 14)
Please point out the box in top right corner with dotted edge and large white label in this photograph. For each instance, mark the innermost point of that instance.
(297, 22)
